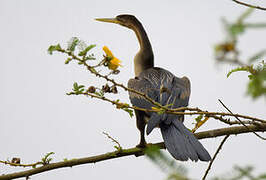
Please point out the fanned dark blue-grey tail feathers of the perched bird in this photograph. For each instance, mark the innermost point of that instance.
(181, 143)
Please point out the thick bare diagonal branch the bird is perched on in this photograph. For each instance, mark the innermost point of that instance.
(130, 151)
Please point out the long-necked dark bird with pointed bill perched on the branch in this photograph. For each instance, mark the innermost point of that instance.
(162, 87)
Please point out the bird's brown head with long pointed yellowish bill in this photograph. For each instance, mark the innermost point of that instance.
(126, 20)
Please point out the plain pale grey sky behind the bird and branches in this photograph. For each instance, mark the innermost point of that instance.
(37, 117)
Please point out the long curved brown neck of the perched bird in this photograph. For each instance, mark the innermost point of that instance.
(144, 58)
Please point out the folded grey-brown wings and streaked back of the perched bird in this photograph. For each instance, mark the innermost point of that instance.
(164, 88)
